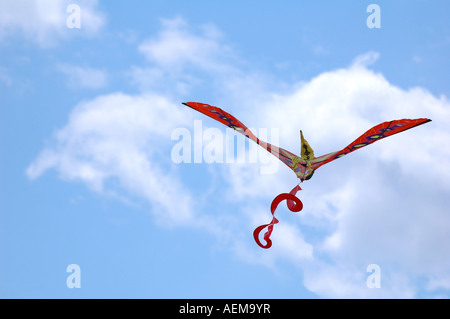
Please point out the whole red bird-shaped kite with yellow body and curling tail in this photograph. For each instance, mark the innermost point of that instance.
(306, 164)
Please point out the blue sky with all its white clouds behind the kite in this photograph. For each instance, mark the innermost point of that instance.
(87, 175)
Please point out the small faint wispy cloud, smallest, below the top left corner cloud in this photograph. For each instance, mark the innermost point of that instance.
(84, 77)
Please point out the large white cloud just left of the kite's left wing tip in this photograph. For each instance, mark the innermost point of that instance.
(120, 137)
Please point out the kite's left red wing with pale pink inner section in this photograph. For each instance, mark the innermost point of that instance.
(229, 120)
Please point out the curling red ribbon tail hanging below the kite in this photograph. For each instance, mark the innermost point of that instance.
(293, 203)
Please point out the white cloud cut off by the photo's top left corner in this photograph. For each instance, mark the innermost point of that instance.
(44, 21)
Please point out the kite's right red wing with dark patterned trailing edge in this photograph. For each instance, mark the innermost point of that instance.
(376, 133)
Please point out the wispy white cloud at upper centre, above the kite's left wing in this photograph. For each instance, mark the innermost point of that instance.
(181, 58)
